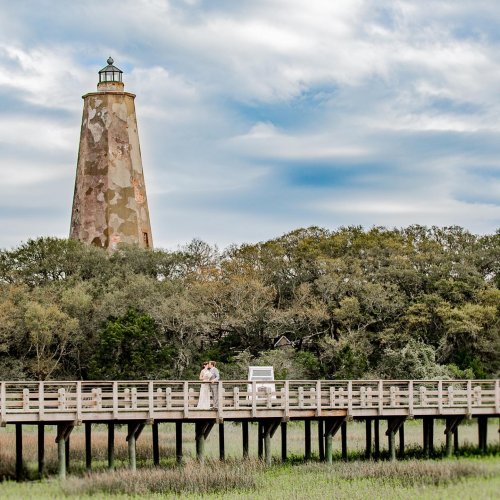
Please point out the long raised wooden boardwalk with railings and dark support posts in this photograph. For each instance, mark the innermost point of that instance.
(329, 402)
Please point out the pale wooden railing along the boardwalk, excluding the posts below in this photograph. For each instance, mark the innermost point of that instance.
(173, 400)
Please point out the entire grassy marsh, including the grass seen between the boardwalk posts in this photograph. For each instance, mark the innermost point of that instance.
(466, 476)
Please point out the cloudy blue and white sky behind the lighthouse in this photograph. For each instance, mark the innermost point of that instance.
(257, 117)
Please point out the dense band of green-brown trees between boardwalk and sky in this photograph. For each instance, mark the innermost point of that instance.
(415, 302)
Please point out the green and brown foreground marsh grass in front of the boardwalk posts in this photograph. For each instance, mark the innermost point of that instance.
(468, 478)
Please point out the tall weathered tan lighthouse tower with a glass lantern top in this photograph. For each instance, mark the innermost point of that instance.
(110, 206)
